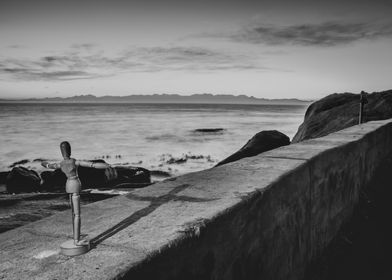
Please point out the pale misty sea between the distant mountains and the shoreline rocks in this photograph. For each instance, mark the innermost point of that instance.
(166, 138)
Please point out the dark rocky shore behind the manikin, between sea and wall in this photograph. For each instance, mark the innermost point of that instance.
(30, 197)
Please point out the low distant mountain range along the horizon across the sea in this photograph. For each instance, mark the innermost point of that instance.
(162, 98)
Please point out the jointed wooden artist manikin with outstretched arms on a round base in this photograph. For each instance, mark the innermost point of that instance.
(69, 165)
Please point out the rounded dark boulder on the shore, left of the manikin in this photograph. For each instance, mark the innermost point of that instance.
(21, 179)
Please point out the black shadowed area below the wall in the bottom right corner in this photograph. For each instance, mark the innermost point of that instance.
(361, 249)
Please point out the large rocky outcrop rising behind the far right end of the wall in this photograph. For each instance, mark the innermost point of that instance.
(338, 111)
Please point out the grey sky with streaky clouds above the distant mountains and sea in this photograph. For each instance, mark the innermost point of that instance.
(267, 49)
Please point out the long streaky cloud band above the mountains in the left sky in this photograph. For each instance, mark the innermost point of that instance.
(77, 63)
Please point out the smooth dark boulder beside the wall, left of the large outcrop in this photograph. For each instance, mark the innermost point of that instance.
(261, 142)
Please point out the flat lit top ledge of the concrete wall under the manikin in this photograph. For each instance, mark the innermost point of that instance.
(129, 229)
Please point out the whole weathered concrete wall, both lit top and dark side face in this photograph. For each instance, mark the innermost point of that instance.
(263, 217)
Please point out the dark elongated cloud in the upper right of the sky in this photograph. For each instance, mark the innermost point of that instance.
(322, 34)
